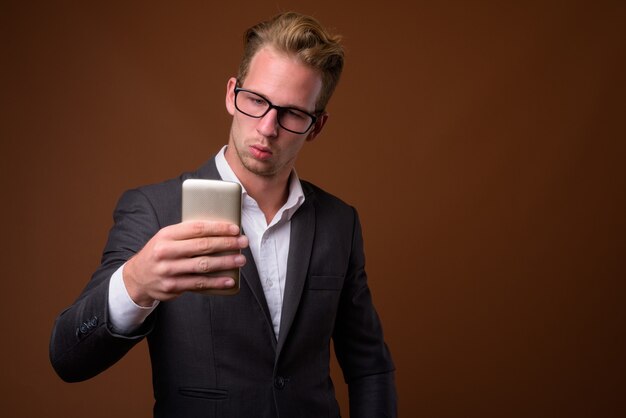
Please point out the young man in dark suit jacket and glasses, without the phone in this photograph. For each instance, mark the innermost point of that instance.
(265, 351)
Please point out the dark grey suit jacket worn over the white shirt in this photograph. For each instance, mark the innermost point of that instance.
(217, 356)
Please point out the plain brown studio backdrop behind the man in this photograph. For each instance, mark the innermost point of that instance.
(483, 143)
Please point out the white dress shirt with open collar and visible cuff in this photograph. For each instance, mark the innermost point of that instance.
(269, 244)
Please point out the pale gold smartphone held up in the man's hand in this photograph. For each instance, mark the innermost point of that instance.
(215, 200)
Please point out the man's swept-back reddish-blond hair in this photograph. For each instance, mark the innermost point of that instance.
(304, 37)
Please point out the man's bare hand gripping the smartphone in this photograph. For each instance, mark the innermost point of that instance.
(173, 261)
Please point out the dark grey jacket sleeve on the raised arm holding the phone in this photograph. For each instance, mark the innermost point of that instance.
(83, 343)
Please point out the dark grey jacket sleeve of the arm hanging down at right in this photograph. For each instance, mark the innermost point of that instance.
(359, 344)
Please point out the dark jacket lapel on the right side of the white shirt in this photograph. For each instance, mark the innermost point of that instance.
(300, 245)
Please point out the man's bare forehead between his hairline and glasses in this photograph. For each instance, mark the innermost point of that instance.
(283, 79)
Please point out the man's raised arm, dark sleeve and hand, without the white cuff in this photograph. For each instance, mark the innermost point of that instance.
(161, 264)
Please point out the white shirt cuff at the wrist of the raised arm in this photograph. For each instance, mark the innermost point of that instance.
(125, 316)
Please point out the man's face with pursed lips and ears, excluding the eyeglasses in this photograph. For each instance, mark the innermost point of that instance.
(260, 147)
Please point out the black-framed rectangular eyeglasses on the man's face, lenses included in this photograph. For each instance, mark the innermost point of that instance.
(289, 118)
